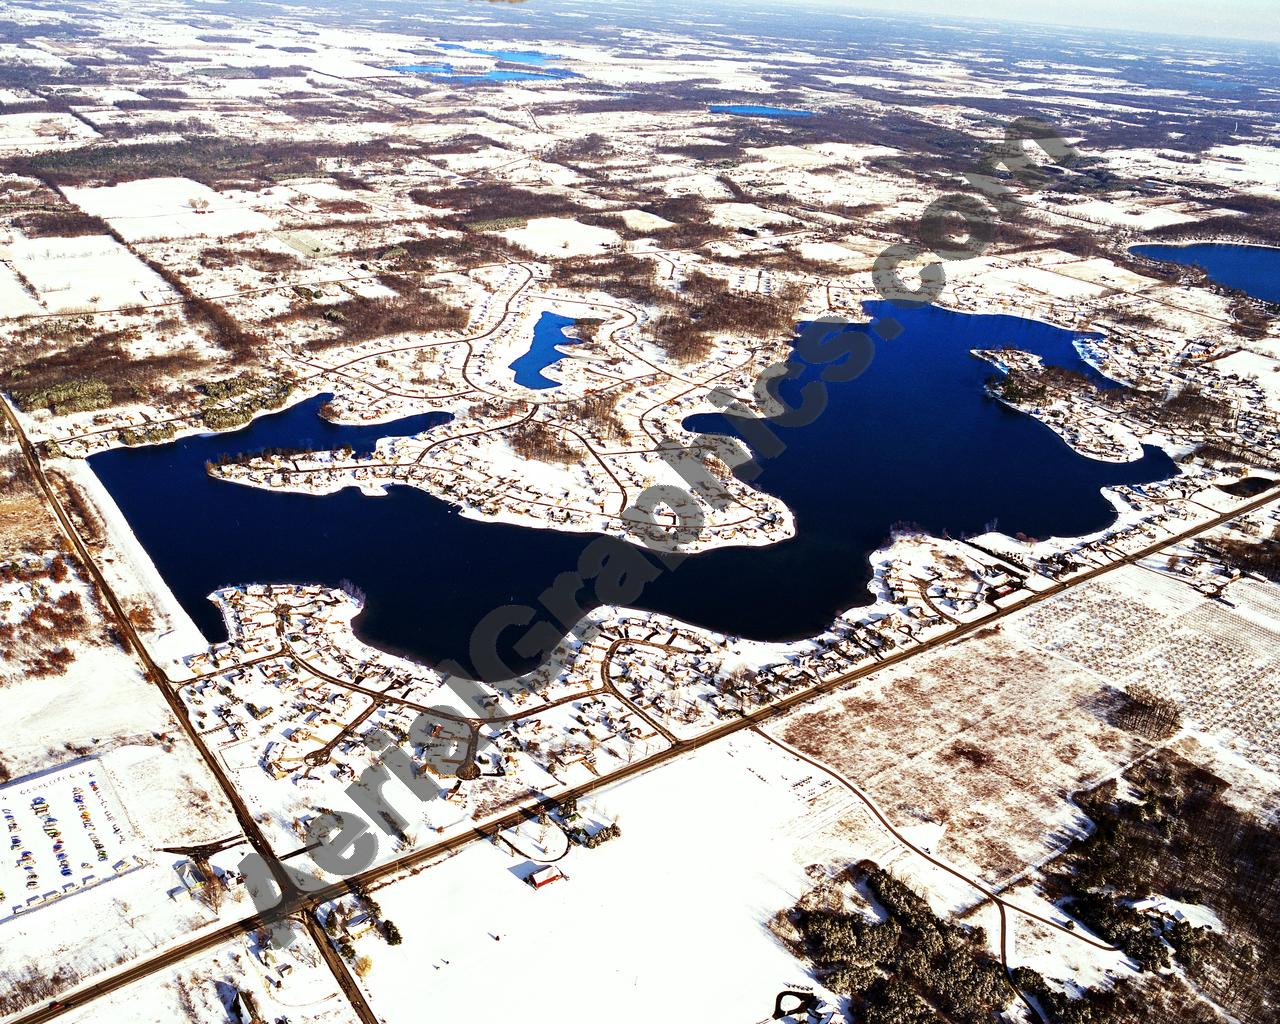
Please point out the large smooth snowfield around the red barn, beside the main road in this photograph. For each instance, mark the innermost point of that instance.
(634, 931)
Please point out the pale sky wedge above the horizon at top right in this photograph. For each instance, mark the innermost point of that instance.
(1244, 20)
